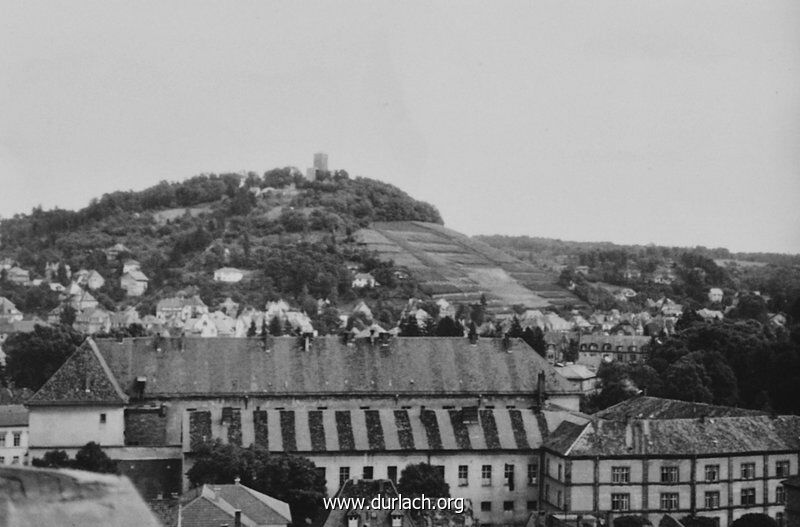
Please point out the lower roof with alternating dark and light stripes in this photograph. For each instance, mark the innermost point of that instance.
(386, 429)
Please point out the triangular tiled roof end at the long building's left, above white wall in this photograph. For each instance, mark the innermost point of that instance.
(84, 379)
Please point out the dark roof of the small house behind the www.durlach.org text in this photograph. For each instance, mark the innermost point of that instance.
(367, 489)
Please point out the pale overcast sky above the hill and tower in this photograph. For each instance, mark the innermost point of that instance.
(640, 121)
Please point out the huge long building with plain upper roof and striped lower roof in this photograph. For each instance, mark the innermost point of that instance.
(363, 409)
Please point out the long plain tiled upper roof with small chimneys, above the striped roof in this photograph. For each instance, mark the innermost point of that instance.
(413, 365)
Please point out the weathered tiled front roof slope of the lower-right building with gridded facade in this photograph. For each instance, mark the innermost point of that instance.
(666, 437)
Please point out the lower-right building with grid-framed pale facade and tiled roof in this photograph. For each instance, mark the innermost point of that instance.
(649, 456)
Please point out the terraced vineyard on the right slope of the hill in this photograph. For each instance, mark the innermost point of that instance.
(453, 266)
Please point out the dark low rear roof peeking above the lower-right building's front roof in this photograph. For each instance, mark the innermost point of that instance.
(643, 407)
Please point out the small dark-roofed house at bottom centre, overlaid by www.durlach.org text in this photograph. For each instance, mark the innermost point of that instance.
(368, 489)
